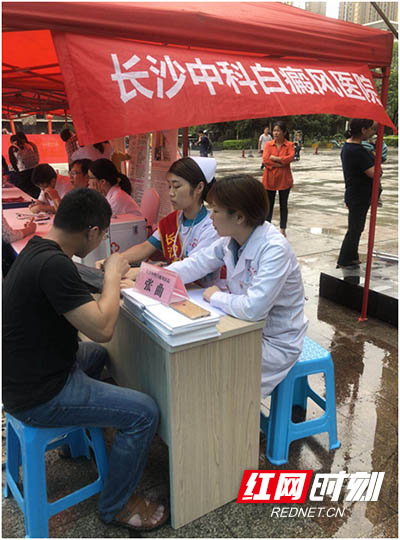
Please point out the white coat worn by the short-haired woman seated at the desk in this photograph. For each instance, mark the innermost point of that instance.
(264, 284)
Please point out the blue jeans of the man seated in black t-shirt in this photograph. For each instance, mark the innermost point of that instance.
(85, 401)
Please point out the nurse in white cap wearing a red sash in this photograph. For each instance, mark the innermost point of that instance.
(188, 228)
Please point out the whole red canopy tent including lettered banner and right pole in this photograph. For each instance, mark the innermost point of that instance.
(230, 60)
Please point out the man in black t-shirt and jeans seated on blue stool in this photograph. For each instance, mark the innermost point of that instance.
(50, 378)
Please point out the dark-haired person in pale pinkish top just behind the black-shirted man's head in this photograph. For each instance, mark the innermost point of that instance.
(114, 186)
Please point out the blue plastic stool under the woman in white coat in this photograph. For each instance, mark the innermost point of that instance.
(278, 427)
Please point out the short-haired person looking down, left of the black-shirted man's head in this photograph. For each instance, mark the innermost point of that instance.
(52, 187)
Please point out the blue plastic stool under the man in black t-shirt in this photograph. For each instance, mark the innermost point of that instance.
(26, 446)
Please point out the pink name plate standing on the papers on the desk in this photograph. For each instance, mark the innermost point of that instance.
(161, 284)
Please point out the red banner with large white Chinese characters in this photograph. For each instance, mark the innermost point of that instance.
(115, 87)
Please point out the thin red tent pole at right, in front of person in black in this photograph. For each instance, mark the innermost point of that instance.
(374, 198)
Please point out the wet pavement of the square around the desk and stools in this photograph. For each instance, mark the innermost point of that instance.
(366, 371)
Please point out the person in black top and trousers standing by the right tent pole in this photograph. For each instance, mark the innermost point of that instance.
(358, 172)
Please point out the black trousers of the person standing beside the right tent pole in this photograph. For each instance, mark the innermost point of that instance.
(356, 222)
